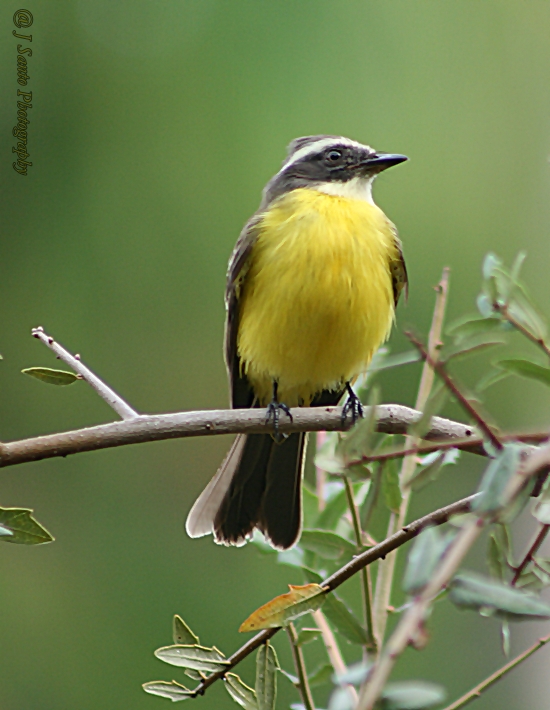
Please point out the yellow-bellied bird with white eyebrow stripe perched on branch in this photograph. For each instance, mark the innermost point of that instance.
(312, 287)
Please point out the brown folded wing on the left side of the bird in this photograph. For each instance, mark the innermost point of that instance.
(240, 392)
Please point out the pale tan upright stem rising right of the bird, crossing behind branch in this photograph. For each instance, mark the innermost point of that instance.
(387, 568)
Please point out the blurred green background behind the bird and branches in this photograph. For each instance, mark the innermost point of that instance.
(153, 129)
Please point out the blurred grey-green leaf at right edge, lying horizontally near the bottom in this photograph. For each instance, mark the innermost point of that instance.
(476, 592)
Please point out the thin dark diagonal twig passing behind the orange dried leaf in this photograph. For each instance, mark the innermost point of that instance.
(437, 517)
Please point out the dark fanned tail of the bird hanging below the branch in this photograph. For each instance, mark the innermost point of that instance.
(258, 485)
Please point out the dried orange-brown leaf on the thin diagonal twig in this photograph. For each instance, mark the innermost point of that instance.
(286, 607)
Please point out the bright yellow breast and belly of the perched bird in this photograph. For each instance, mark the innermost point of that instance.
(317, 299)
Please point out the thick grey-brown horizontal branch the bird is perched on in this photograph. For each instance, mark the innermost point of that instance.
(391, 419)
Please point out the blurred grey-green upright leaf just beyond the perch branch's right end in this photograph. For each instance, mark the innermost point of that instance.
(495, 480)
